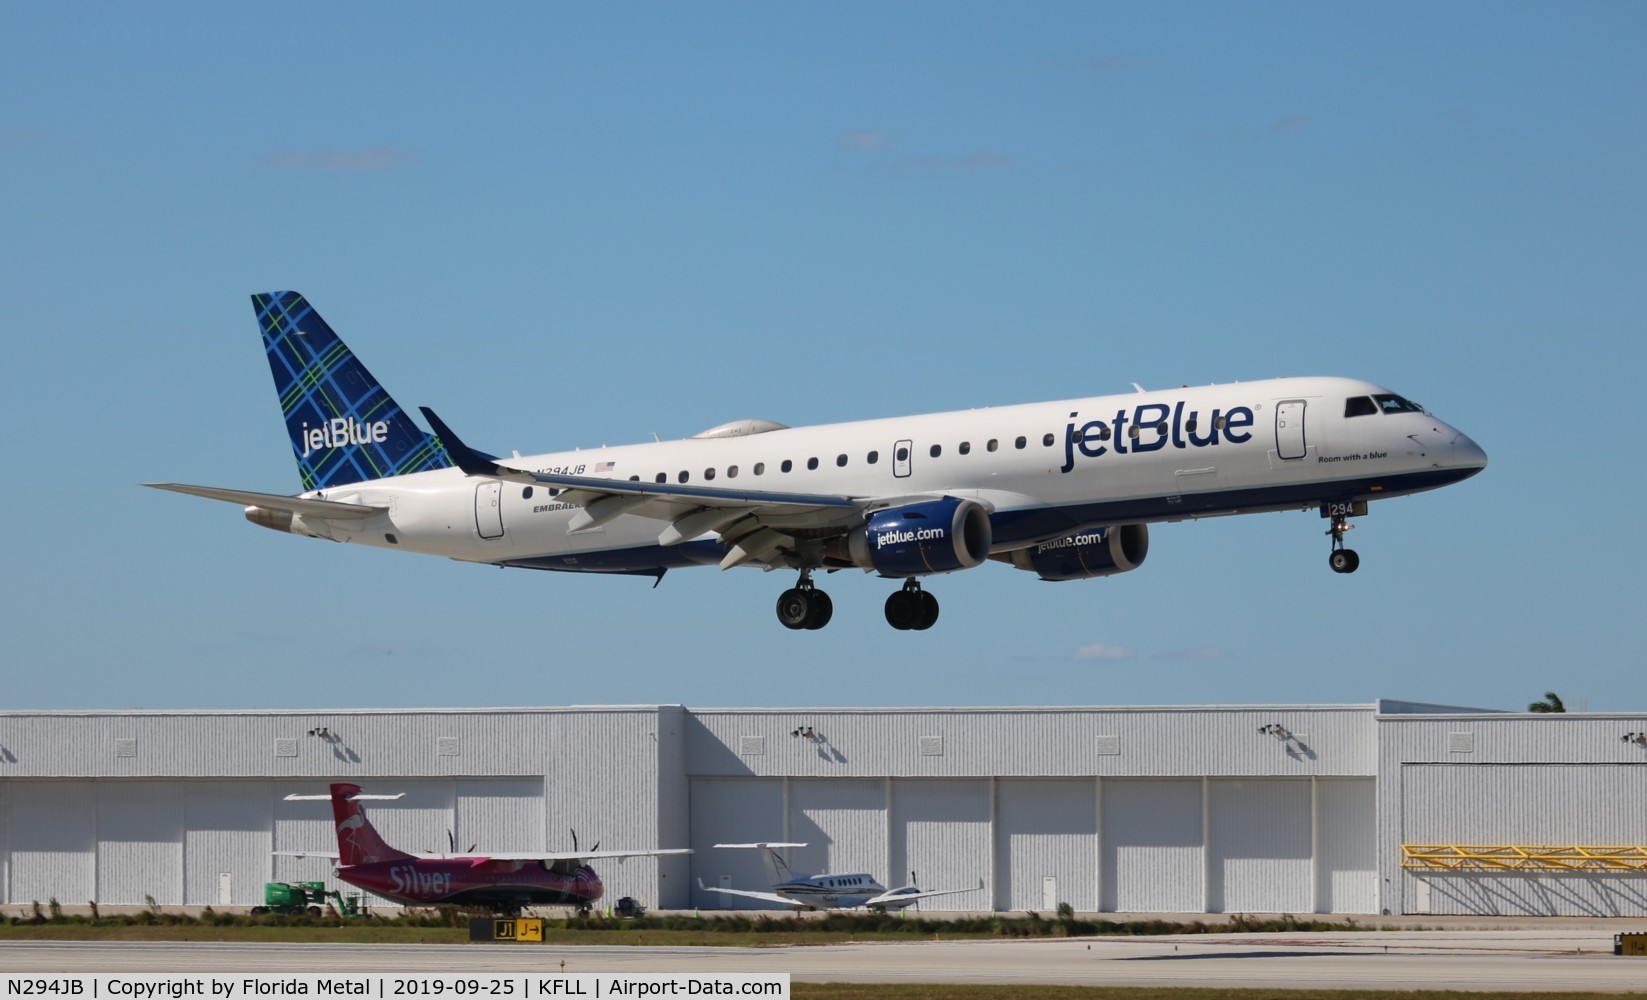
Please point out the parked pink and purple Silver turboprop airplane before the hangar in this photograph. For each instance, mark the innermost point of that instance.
(505, 882)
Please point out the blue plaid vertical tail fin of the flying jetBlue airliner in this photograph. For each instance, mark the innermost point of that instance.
(343, 426)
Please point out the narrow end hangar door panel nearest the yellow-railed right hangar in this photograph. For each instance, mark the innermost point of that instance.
(1348, 869)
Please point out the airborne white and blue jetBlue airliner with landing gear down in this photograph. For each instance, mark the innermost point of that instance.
(1065, 490)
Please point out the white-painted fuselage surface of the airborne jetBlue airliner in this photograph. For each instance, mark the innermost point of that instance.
(1210, 470)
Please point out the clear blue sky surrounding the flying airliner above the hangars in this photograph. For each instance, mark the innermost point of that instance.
(581, 225)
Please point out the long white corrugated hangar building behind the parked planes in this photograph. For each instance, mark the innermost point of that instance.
(1355, 810)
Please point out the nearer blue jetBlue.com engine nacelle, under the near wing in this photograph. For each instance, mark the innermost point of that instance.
(918, 540)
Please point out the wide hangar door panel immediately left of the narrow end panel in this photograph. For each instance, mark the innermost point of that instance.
(1259, 846)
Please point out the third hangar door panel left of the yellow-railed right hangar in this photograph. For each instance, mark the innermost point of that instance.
(1152, 857)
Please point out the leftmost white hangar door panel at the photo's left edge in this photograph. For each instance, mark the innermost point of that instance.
(54, 841)
